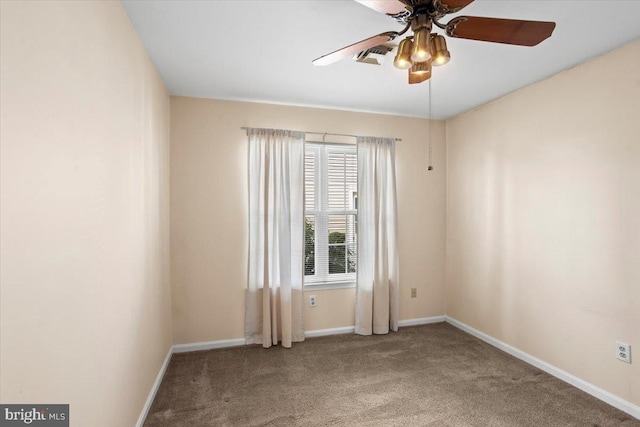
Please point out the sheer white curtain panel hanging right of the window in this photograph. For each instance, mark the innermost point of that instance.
(377, 288)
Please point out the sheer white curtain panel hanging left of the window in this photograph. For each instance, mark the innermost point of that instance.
(276, 237)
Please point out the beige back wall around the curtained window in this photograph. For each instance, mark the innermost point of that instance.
(209, 213)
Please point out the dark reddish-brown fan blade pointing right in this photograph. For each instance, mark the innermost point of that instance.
(509, 31)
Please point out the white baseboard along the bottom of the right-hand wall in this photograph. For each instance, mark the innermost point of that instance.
(583, 385)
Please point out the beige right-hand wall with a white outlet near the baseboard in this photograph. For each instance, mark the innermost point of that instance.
(544, 219)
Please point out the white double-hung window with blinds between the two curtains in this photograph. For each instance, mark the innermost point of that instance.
(331, 198)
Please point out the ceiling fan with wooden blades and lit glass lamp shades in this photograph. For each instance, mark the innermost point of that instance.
(419, 51)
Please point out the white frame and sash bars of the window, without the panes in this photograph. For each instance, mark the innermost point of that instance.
(321, 214)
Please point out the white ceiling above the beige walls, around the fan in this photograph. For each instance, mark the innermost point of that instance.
(262, 51)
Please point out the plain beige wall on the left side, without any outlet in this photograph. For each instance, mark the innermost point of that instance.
(85, 298)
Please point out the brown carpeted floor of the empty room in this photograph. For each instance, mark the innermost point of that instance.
(432, 375)
